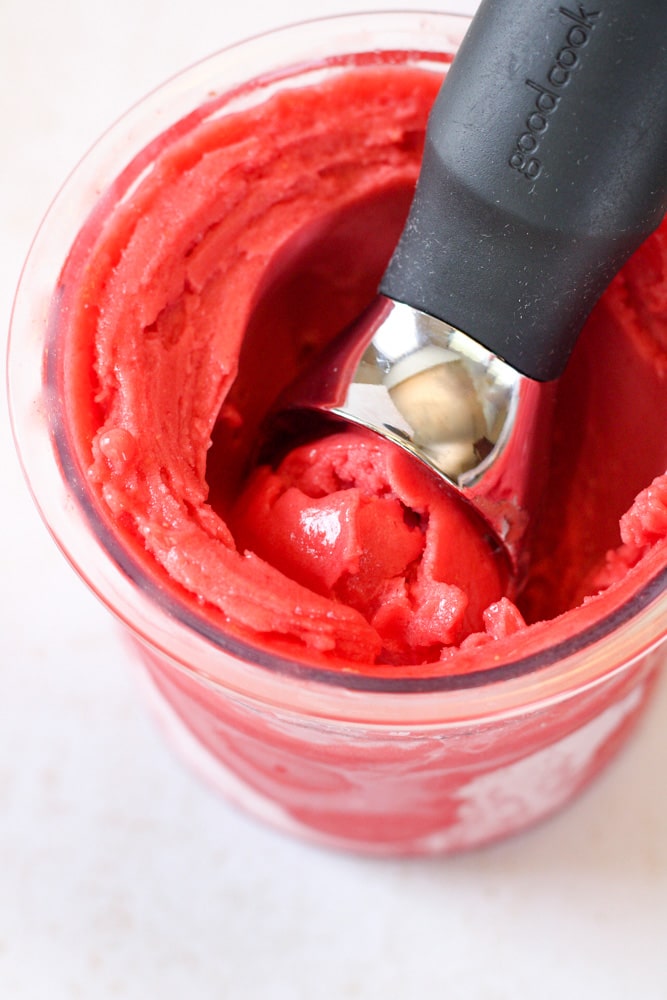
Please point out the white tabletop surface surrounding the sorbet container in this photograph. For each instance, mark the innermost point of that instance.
(121, 875)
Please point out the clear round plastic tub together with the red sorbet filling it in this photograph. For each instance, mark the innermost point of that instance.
(327, 638)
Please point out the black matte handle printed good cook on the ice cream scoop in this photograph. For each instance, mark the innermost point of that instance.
(545, 167)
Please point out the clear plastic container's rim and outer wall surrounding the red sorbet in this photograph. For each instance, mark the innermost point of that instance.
(371, 763)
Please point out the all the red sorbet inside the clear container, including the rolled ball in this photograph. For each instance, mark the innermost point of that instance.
(218, 264)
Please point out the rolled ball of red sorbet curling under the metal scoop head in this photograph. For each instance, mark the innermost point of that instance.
(358, 521)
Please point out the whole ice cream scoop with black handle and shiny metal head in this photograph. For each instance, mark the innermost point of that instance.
(544, 168)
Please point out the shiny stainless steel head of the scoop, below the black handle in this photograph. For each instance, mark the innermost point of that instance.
(440, 395)
